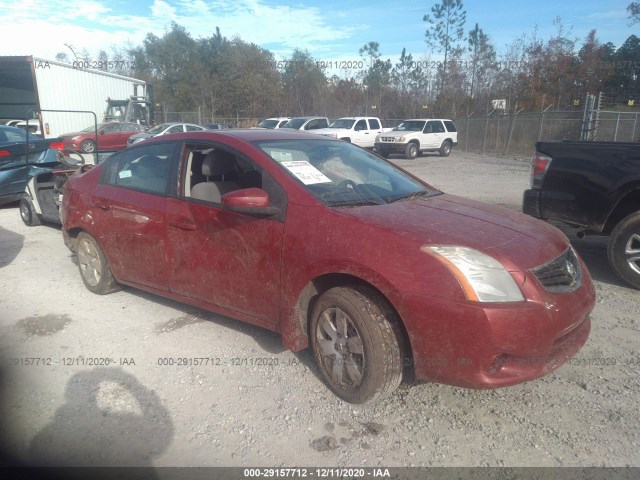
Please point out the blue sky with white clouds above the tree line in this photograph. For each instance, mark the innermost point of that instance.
(330, 30)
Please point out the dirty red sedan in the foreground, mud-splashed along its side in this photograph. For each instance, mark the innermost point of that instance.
(335, 248)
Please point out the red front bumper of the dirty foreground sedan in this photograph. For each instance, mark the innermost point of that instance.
(473, 345)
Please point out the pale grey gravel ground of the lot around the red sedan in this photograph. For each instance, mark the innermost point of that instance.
(108, 386)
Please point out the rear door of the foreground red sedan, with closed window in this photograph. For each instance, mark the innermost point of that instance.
(128, 210)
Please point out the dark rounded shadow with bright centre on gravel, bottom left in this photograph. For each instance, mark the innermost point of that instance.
(109, 419)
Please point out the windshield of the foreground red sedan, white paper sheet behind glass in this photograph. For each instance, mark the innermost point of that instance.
(341, 174)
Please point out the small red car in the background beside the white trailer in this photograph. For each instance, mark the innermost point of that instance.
(111, 136)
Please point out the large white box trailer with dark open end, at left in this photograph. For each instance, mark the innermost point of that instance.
(31, 87)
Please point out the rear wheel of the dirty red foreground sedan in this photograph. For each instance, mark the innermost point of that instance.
(94, 268)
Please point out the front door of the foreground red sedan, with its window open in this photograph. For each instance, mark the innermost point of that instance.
(223, 257)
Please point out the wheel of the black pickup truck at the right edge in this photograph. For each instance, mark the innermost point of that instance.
(624, 249)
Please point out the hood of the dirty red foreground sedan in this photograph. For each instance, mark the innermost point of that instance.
(517, 240)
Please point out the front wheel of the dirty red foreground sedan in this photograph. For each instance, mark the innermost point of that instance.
(357, 344)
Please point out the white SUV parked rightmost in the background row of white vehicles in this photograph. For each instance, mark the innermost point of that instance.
(418, 135)
